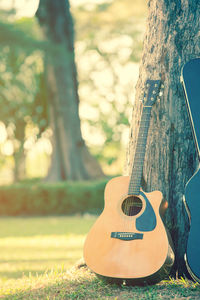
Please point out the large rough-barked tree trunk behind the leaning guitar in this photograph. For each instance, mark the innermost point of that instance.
(171, 39)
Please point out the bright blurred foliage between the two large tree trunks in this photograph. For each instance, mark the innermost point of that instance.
(108, 46)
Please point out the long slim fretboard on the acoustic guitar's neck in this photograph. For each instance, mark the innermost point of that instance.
(138, 162)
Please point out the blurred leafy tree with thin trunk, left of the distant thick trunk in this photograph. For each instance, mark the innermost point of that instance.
(21, 68)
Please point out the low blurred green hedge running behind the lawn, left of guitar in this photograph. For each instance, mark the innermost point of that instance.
(62, 198)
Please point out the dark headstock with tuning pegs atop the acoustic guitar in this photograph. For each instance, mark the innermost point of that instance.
(151, 92)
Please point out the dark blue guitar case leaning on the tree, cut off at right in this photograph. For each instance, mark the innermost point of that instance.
(191, 82)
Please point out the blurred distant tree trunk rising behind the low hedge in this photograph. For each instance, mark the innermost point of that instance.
(71, 159)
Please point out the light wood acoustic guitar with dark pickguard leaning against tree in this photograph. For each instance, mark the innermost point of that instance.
(129, 242)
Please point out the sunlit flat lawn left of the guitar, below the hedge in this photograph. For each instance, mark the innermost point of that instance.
(30, 247)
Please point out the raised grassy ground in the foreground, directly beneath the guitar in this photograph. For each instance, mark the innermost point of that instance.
(82, 284)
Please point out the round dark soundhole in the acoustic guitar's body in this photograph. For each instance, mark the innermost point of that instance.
(131, 206)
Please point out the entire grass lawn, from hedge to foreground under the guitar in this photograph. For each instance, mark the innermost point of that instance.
(38, 260)
